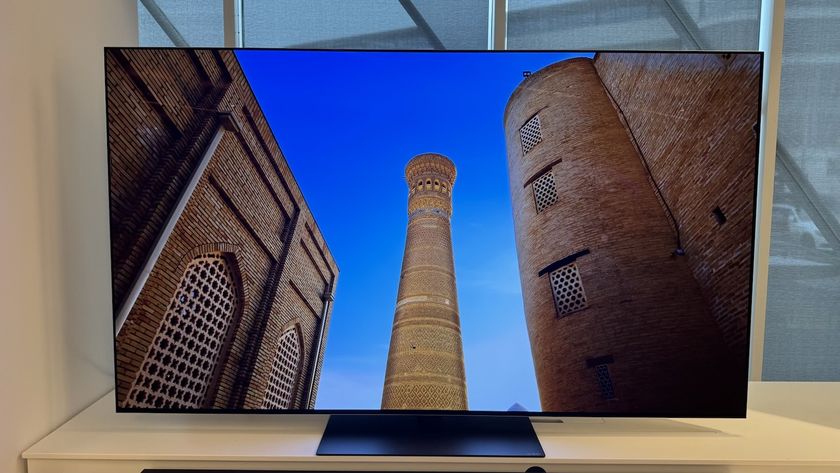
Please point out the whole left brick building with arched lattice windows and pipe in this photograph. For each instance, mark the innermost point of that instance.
(222, 279)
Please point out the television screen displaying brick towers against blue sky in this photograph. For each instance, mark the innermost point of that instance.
(554, 233)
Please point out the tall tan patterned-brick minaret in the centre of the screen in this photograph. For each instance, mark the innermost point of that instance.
(426, 361)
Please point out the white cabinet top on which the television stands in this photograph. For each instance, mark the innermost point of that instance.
(790, 427)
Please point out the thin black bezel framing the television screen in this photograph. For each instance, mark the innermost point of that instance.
(438, 412)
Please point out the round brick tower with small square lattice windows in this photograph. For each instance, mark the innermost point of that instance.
(616, 322)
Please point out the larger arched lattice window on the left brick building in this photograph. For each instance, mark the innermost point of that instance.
(180, 362)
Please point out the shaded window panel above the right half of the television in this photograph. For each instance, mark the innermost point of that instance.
(632, 24)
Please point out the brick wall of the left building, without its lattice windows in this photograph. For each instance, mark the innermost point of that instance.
(164, 108)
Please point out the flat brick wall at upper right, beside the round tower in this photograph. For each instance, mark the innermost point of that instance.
(693, 117)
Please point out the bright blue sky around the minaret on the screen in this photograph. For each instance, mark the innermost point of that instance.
(347, 123)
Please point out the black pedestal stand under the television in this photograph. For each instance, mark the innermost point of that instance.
(430, 435)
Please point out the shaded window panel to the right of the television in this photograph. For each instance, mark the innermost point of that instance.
(802, 325)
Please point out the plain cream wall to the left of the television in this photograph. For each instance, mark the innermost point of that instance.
(55, 327)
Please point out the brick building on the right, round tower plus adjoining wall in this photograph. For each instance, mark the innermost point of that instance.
(632, 180)
